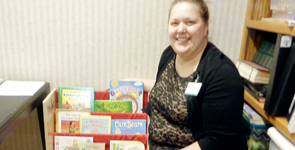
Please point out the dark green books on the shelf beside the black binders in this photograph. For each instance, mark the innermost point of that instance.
(264, 54)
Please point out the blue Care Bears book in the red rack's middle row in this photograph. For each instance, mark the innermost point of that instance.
(128, 126)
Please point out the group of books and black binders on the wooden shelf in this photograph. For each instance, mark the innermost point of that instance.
(269, 77)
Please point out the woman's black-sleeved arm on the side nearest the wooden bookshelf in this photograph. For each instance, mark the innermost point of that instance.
(222, 109)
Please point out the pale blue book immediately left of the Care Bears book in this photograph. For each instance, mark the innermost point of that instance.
(95, 124)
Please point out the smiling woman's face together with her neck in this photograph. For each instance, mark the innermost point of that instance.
(187, 36)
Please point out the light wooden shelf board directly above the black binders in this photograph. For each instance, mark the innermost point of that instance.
(270, 27)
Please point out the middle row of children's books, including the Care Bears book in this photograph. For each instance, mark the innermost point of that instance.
(81, 121)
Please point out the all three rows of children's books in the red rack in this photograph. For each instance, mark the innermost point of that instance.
(78, 113)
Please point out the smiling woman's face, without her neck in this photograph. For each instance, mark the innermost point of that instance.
(187, 30)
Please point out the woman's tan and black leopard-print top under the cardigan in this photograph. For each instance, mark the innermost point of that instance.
(169, 127)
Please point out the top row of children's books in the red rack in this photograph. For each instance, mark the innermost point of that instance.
(125, 96)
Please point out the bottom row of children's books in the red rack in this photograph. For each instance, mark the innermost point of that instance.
(86, 143)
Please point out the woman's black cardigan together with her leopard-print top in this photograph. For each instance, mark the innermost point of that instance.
(214, 117)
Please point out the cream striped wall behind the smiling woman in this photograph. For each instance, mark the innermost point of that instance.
(87, 43)
